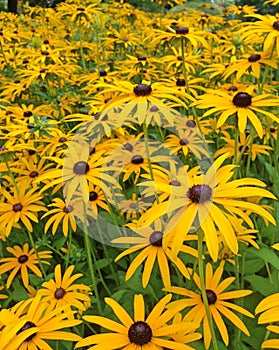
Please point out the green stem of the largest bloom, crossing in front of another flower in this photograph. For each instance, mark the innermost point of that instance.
(203, 289)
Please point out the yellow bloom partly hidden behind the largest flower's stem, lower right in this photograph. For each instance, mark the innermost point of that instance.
(217, 300)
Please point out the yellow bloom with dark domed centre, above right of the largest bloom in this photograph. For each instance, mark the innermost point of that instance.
(244, 105)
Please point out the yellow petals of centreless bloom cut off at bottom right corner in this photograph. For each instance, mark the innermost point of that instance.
(269, 308)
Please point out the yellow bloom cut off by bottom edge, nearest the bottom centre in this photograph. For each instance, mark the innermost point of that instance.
(139, 332)
